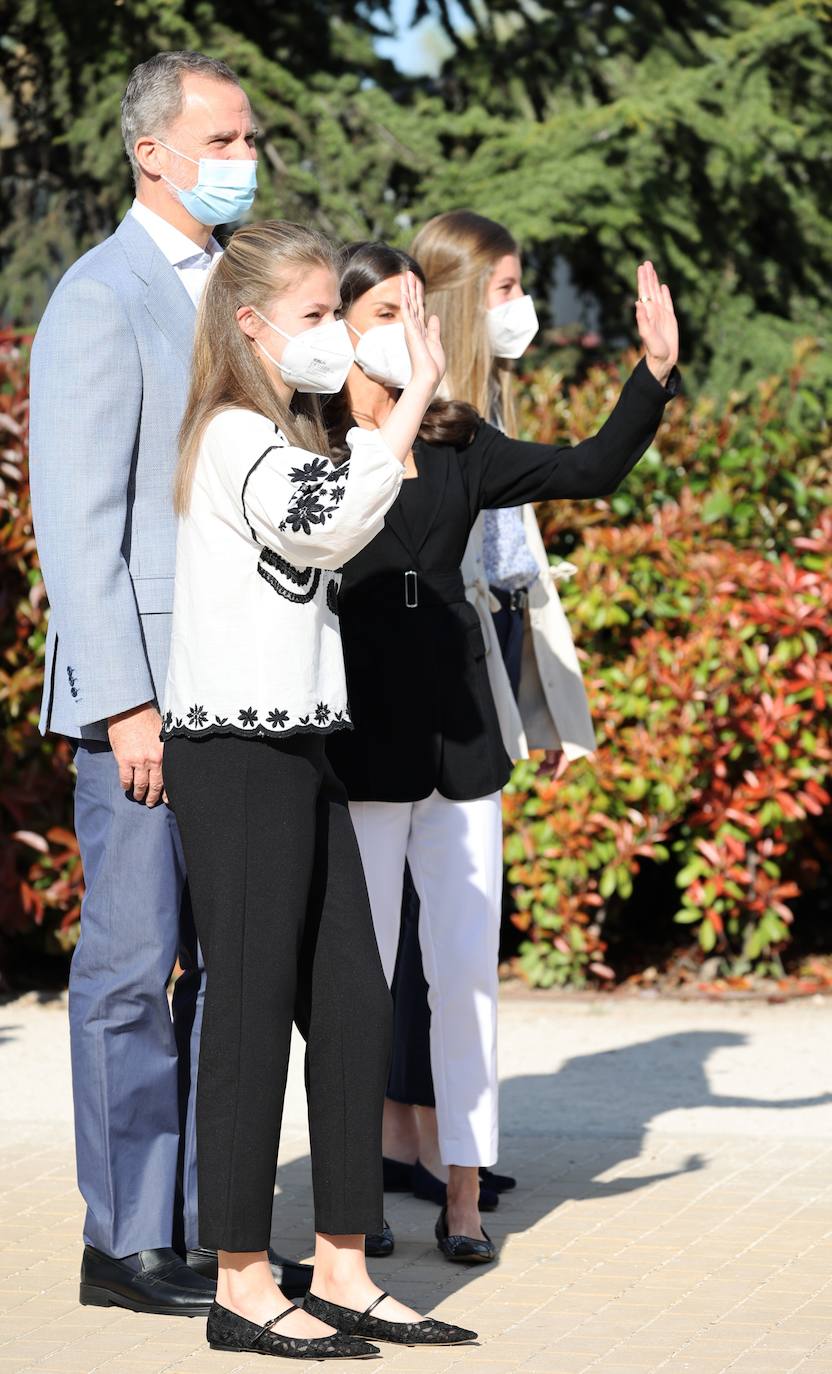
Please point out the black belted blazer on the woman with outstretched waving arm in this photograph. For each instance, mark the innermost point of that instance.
(421, 701)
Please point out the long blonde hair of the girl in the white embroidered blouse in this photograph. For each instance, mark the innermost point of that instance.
(260, 263)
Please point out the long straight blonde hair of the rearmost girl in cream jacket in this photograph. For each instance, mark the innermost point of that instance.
(459, 252)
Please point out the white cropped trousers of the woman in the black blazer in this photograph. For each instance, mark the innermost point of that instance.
(455, 850)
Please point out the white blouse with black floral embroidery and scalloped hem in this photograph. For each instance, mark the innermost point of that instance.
(256, 644)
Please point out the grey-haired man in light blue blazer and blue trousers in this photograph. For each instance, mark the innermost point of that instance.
(109, 385)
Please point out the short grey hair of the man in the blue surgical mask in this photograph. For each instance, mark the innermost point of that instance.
(154, 95)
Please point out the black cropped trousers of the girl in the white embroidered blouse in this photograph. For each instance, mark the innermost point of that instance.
(284, 919)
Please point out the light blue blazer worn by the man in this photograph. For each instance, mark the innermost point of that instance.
(109, 384)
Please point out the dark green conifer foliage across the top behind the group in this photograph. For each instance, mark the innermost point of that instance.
(695, 134)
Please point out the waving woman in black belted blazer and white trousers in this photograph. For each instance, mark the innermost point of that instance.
(425, 763)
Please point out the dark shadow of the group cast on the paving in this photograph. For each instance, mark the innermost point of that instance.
(561, 1134)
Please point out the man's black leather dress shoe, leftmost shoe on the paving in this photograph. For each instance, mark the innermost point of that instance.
(156, 1281)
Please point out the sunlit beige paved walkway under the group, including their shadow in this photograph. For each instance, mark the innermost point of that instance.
(675, 1208)
